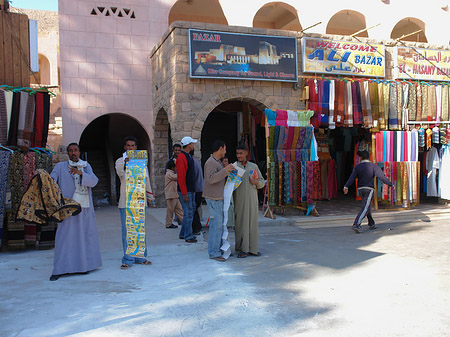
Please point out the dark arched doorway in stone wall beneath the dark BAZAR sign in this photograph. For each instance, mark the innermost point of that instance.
(236, 121)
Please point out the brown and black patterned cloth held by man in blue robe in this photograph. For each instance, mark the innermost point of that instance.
(43, 201)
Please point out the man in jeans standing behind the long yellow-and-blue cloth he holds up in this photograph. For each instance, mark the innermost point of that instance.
(130, 143)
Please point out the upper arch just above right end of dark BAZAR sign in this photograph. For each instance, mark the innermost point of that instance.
(277, 15)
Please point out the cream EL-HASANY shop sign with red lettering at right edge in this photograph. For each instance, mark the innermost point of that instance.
(422, 64)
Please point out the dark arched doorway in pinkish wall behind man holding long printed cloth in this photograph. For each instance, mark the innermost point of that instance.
(101, 143)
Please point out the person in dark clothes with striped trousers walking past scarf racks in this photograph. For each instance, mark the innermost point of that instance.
(365, 172)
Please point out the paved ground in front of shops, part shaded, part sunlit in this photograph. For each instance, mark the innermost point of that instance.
(315, 278)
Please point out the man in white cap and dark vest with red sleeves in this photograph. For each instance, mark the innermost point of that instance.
(186, 188)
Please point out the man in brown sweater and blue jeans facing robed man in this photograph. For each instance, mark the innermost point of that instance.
(214, 182)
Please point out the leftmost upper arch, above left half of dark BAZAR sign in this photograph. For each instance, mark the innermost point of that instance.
(208, 11)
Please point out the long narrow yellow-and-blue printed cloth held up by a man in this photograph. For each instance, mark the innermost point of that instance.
(135, 202)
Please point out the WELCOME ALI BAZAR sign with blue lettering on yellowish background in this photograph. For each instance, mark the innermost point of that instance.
(342, 58)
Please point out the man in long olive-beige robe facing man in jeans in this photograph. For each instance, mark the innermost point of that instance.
(246, 206)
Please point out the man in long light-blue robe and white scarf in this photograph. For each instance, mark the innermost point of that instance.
(76, 242)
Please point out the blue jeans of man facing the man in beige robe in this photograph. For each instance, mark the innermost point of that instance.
(215, 208)
